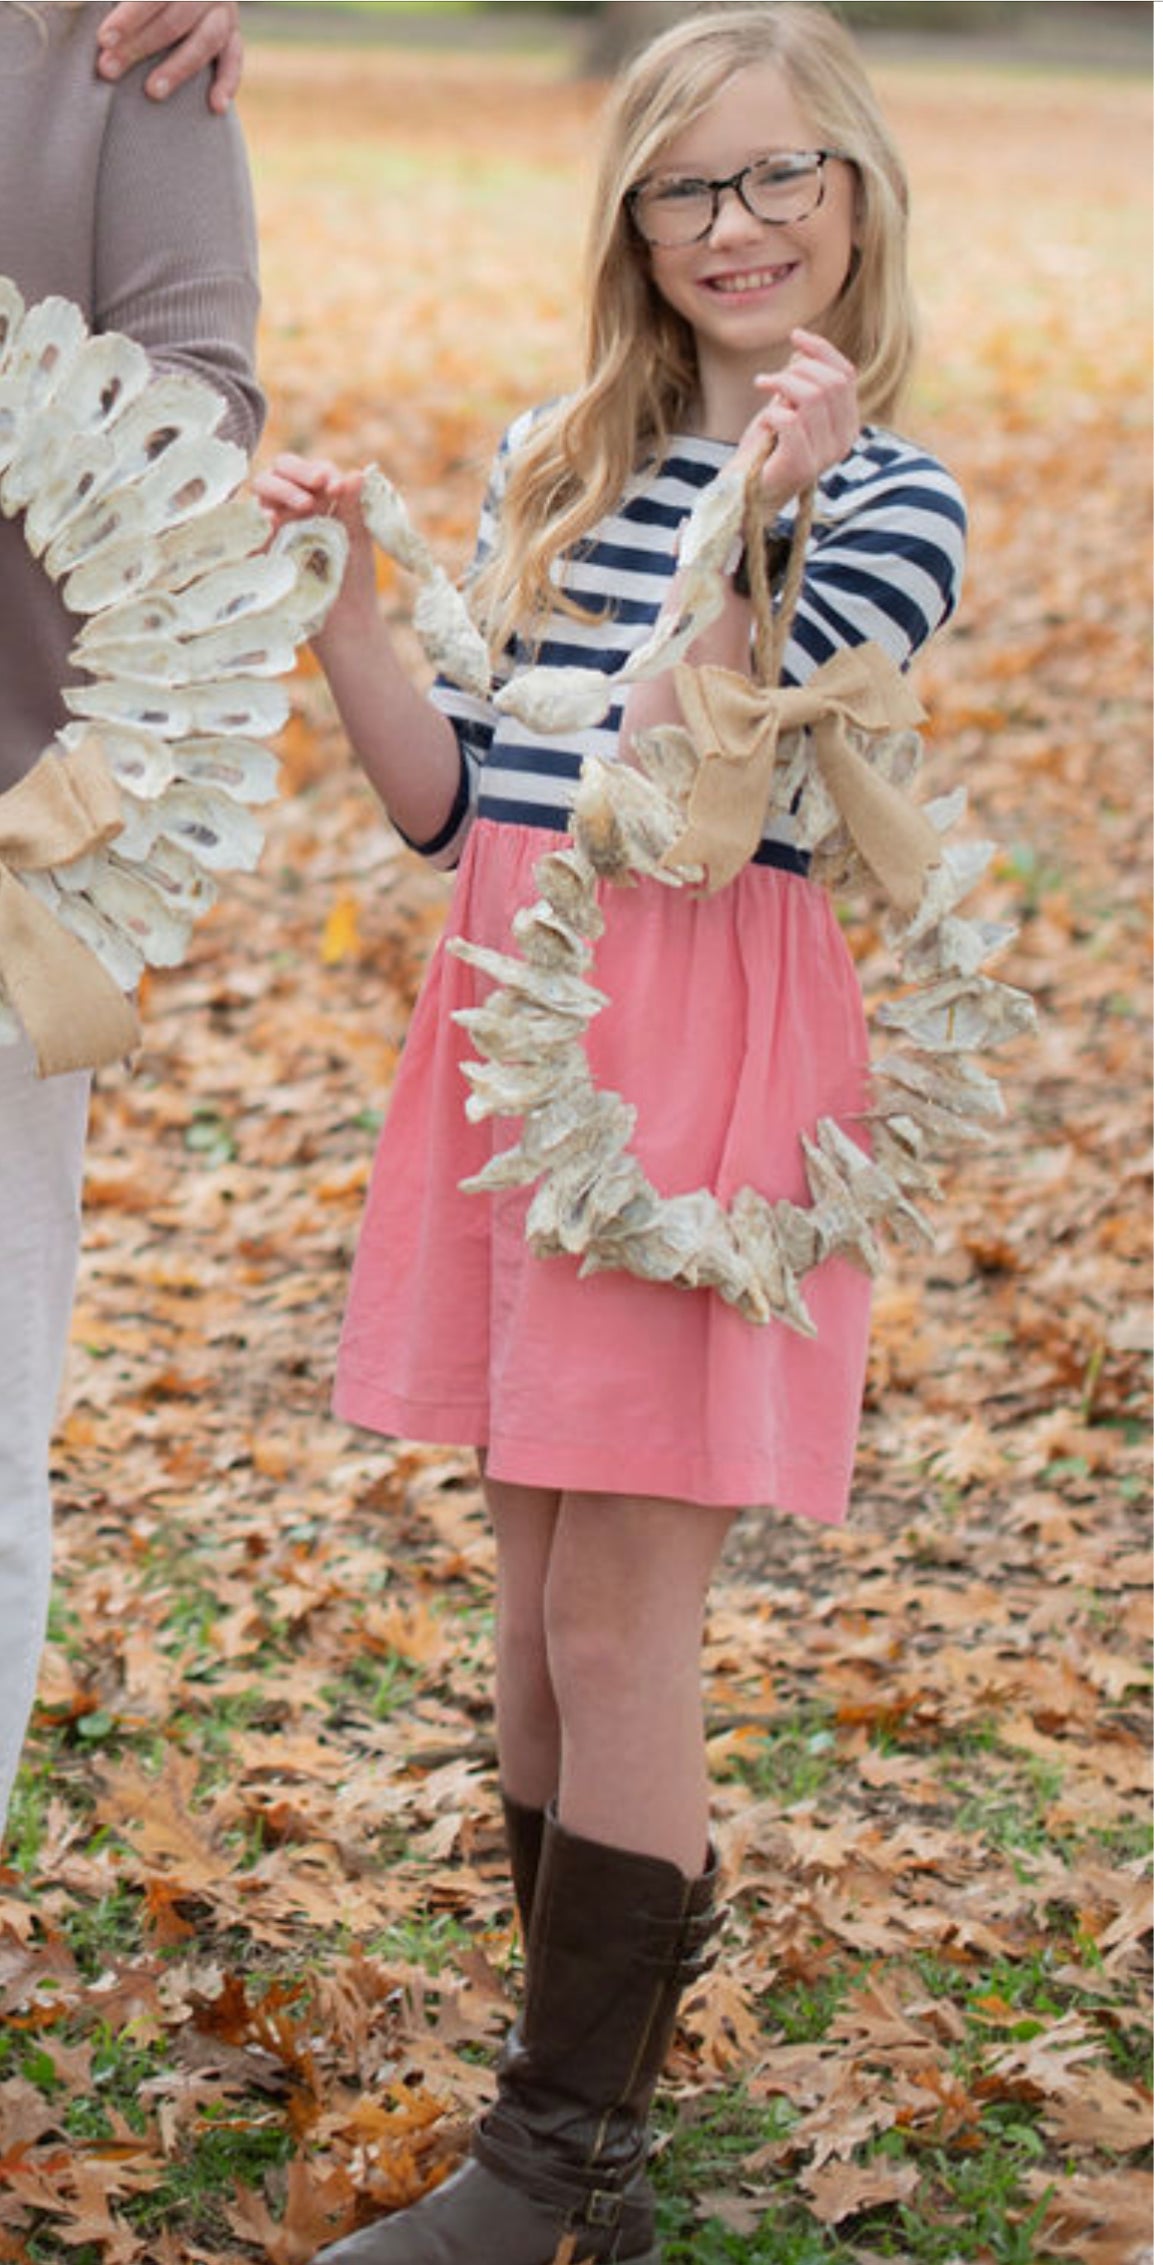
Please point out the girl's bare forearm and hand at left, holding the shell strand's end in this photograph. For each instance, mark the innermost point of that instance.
(405, 744)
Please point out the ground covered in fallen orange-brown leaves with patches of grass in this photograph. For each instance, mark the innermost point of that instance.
(255, 1935)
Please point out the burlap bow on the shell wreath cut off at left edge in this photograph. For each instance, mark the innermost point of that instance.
(71, 1009)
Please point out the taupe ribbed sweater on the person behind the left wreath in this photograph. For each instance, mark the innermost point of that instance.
(142, 214)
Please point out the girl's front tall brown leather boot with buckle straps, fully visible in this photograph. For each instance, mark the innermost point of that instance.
(613, 1942)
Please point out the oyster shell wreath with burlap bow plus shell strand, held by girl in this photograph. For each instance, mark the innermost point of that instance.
(835, 760)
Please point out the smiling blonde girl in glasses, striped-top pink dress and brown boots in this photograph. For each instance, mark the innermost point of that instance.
(747, 302)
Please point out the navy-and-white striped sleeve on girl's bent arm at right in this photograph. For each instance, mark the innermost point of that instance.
(885, 561)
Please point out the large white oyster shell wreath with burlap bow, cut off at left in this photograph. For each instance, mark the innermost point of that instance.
(110, 848)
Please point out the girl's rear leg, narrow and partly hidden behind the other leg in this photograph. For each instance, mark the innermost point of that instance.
(527, 1711)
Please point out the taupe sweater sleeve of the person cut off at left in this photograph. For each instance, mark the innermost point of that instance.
(176, 259)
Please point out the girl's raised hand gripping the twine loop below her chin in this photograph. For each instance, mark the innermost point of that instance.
(808, 422)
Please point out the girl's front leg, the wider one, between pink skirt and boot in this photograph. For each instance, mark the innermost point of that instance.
(625, 1614)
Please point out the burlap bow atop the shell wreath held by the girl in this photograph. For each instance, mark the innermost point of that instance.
(736, 724)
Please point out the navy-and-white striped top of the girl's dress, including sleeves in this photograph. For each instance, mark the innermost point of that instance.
(885, 563)
